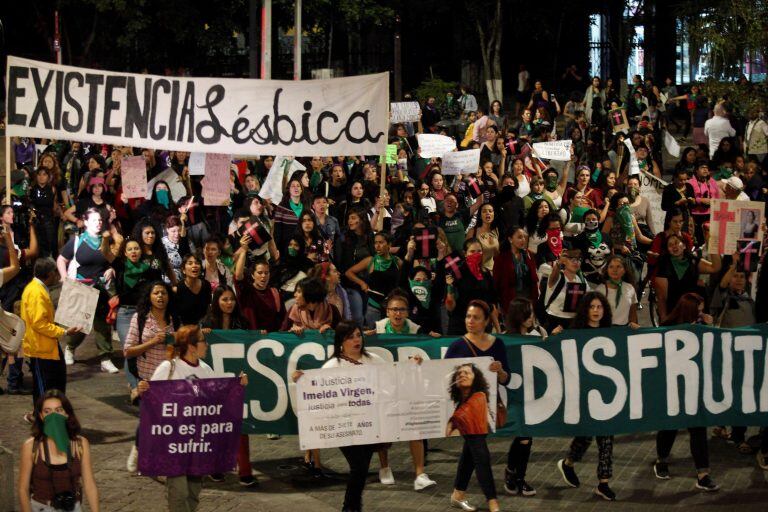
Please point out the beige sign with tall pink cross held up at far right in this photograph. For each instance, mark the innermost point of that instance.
(730, 221)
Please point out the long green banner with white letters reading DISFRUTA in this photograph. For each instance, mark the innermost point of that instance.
(582, 382)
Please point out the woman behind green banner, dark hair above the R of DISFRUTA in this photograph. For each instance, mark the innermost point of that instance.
(689, 310)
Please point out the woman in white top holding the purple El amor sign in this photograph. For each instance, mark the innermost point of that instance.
(189, 349)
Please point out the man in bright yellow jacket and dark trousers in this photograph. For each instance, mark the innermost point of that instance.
(41, 339)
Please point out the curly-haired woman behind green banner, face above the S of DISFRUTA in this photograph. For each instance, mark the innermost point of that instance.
(593, 312)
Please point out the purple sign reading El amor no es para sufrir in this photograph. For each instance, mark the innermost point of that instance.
(190, 427)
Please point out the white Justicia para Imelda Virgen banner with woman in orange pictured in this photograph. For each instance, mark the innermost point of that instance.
(402, 401)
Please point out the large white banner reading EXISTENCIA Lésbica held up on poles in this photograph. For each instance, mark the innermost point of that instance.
(340, 116)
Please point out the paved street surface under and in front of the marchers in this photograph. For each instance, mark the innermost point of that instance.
(109, 423)
